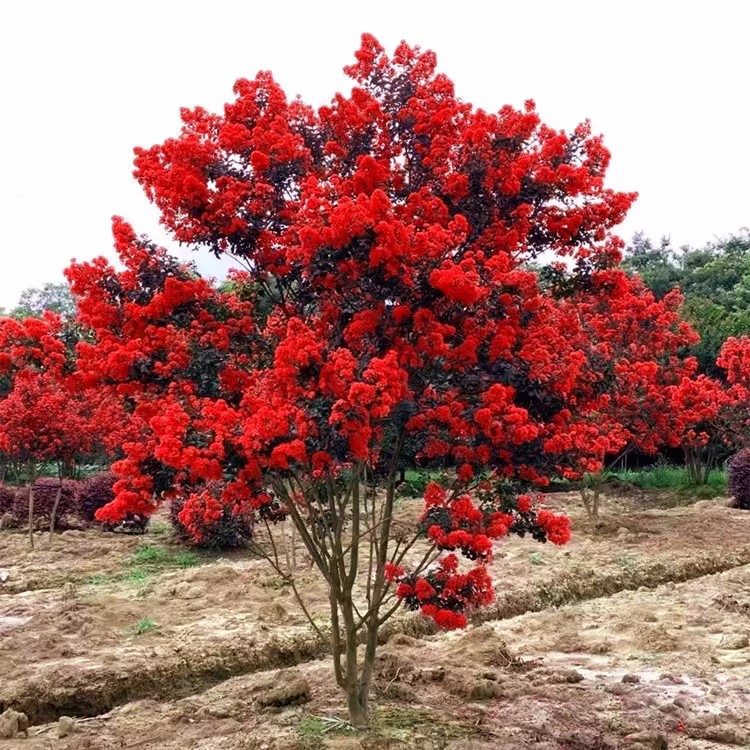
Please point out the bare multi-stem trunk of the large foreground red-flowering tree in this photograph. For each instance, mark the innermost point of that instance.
(348, 538)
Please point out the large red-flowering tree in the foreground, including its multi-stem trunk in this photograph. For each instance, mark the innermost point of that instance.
(388, 299)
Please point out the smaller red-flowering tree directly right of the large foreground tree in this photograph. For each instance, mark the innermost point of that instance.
(641, 391)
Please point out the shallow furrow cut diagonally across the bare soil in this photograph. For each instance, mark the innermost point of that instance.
(85, 687)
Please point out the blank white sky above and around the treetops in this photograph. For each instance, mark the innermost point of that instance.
(668, 83)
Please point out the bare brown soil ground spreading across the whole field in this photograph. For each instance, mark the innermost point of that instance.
(630, 636)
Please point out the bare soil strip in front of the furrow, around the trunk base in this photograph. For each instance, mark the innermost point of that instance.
(641, 669)
